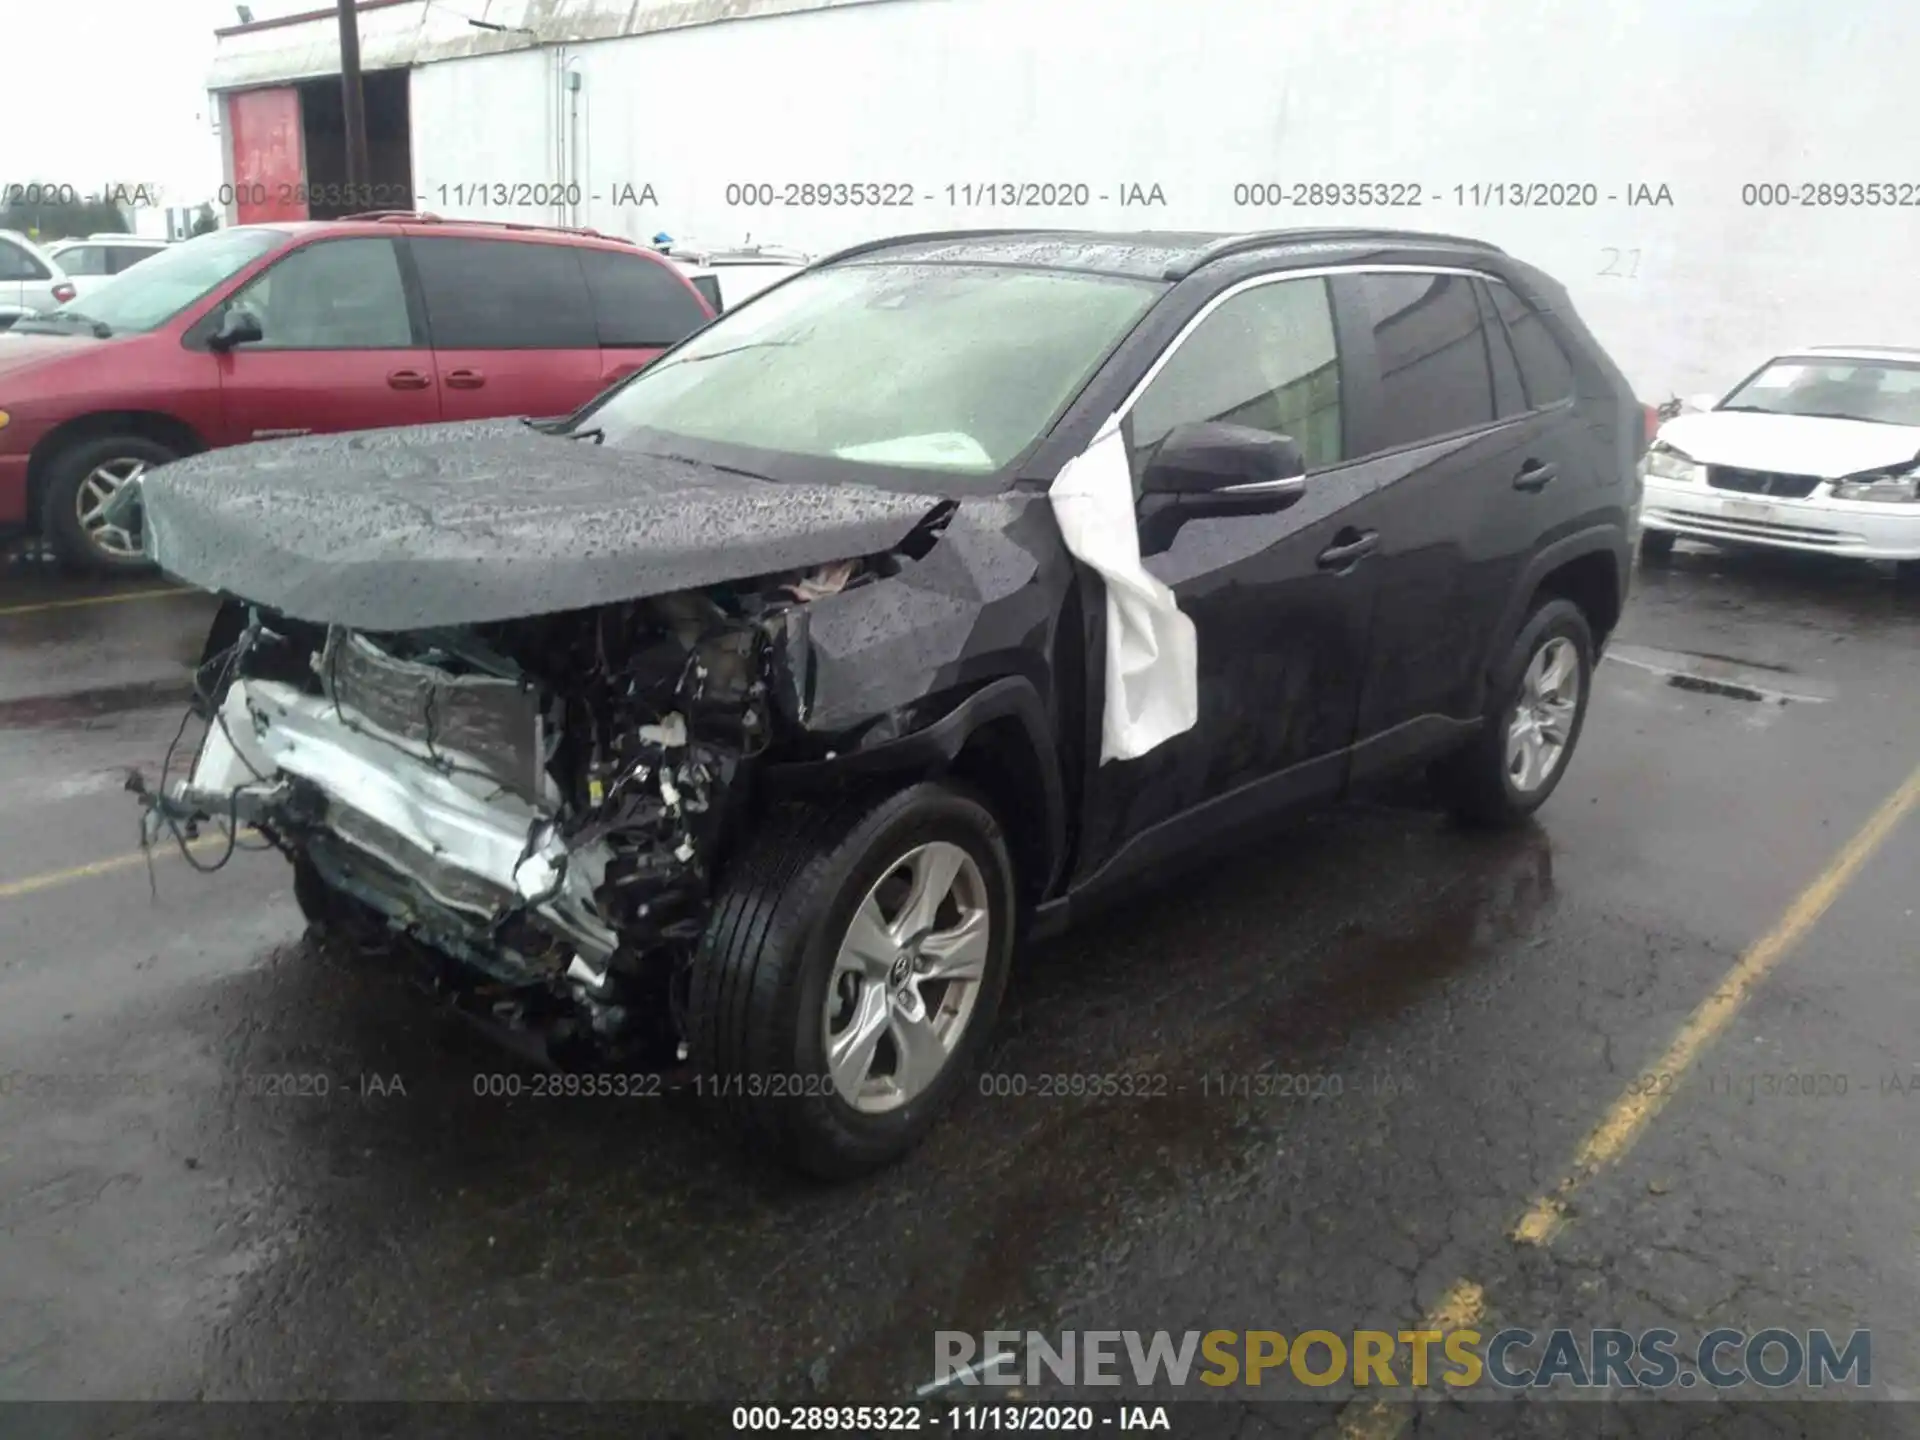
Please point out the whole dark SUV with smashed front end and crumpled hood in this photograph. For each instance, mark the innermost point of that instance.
(742, 723)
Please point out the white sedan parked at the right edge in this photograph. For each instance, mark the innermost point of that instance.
(1819, 450)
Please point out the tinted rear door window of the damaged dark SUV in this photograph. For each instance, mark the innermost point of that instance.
(1435, 377)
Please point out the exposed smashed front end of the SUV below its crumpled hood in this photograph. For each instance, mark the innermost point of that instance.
(544, 802)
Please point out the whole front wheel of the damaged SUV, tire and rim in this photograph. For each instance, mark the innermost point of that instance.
(850, 974)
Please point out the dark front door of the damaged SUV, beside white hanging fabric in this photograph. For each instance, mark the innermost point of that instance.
(1280, 602)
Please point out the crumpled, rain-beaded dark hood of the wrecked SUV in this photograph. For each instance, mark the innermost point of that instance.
(489, 521)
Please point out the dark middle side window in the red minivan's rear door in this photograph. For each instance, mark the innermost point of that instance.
(504, 295)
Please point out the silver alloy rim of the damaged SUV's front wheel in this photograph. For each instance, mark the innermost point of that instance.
(907, 978)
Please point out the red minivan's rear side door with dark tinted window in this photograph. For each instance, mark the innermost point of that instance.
(512, 325)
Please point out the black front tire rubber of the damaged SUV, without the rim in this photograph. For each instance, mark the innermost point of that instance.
(761, 976)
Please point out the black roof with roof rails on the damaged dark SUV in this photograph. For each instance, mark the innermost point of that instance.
(1143, 254)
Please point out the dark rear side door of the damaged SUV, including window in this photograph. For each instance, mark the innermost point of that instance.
(1449, 460)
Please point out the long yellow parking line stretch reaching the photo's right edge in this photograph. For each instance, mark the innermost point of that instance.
(1633, 1111)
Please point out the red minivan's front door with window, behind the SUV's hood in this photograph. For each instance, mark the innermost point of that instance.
(341, 350)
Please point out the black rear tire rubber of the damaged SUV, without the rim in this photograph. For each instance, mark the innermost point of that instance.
(1476, 782)
